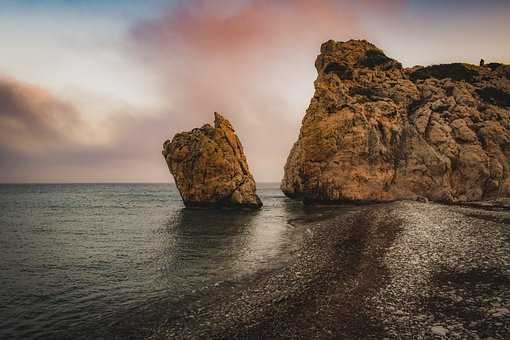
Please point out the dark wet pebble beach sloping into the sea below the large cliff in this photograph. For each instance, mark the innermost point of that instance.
(400, 270)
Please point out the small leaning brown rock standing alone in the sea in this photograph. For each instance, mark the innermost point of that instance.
(209, 167)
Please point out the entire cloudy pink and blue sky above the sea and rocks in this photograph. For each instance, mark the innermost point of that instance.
(90, 89)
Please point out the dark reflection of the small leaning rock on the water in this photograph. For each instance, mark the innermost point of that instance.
(202, 244)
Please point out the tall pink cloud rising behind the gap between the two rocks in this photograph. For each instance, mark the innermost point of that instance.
(254, 62)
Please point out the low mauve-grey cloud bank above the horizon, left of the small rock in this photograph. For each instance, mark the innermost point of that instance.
(43, 138)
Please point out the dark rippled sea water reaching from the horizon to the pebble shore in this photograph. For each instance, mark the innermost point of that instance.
(74, 258)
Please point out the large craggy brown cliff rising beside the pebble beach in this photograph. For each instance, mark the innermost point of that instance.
(377, 132)
